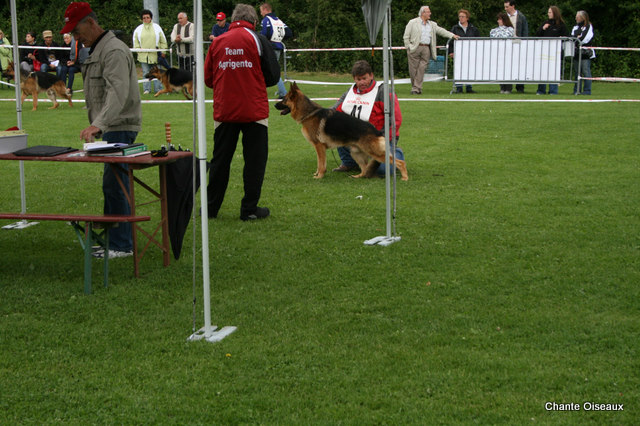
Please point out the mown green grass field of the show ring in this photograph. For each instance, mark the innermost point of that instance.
(515, 283)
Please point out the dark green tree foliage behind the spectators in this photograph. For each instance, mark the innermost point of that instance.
(330, 24)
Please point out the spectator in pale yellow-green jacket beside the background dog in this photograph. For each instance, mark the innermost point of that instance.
(149, 35)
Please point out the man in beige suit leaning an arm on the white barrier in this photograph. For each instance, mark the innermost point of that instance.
(420, 41)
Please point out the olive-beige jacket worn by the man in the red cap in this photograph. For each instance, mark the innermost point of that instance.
(111, 88)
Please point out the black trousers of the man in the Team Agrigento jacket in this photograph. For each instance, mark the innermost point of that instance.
(255, 150)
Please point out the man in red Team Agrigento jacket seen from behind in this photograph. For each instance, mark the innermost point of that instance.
(240, 65)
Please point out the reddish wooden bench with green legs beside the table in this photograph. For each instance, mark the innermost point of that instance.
(88, 235)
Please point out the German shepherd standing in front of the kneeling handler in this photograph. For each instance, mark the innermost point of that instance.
(327, 128)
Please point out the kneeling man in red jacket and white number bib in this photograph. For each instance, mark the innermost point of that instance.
(365, 100)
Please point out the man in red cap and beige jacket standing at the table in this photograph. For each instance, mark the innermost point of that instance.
(113, 105)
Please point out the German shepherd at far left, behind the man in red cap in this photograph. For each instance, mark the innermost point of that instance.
(38, 81)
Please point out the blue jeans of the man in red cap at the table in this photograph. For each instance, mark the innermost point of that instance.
(115, 201)
